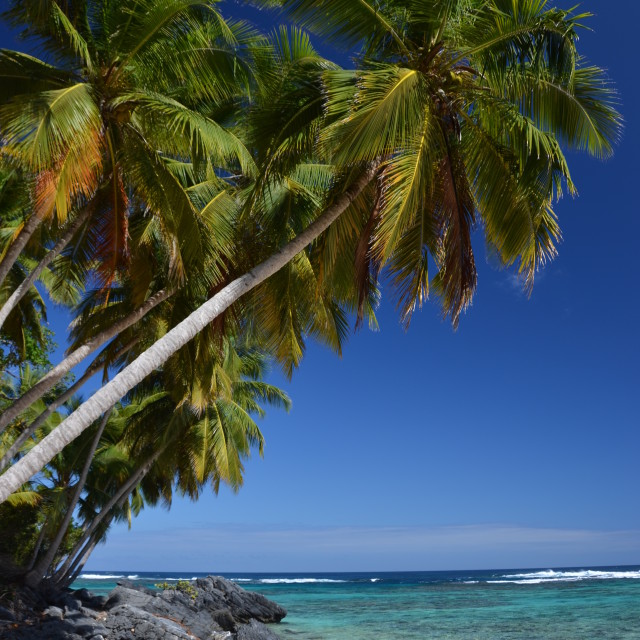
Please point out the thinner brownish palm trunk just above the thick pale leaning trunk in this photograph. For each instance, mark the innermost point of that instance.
(74, 358)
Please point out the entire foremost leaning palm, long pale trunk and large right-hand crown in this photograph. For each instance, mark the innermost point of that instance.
(457, 114)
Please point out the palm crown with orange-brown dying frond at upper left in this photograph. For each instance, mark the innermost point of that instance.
(96, 129)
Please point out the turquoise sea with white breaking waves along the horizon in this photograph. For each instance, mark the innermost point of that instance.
(584, 603)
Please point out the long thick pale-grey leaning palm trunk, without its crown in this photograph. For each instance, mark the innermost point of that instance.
(166, 346)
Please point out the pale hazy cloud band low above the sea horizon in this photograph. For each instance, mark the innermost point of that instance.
(237, 548)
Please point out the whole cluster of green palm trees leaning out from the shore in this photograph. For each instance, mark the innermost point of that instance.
(203, 198)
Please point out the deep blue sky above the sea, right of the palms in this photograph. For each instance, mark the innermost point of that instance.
(512, 442)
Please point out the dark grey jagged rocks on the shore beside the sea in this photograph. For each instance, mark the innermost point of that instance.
(211, 608)
